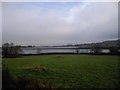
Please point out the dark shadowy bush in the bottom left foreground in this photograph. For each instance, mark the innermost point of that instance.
(22, 82)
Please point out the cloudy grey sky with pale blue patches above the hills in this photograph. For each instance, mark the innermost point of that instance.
(57, 23)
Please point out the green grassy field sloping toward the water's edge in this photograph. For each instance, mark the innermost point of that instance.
(67, 71)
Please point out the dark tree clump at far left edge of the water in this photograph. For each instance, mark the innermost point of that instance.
(10, 50)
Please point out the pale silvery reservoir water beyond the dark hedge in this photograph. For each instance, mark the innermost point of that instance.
(57, 50)
